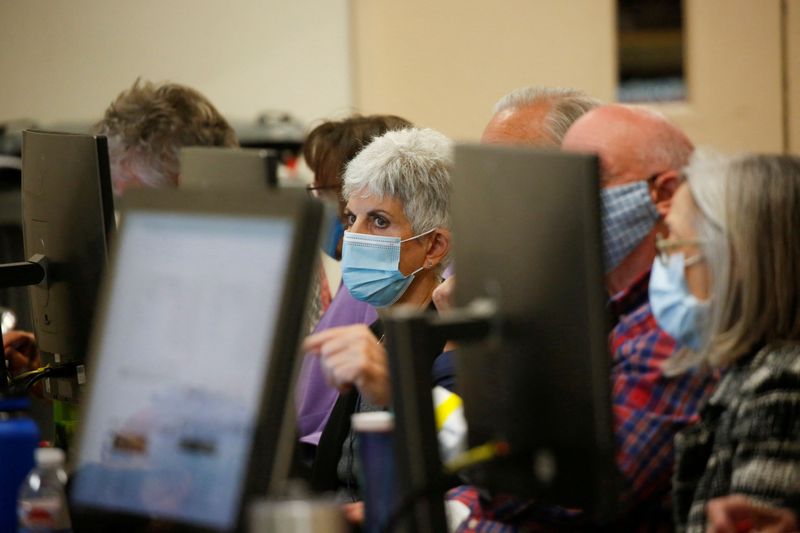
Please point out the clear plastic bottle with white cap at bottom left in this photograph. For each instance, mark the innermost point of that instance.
(42, 504)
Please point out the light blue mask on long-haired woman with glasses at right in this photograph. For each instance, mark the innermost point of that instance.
(676, 310)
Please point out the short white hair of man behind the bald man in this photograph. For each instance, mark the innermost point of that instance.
(566, 106)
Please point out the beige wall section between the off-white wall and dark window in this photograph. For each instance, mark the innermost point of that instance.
(444, 63)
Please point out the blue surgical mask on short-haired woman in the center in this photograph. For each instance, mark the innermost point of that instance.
(371, 268)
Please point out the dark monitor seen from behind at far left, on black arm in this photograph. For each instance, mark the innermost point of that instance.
(68, 217)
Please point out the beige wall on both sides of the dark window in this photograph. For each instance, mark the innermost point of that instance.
(443, 64)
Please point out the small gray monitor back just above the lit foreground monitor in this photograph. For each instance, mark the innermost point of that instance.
(204, 167)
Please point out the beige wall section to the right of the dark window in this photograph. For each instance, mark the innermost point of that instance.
(734, 72)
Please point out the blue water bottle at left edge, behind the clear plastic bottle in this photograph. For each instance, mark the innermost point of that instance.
(19, 437)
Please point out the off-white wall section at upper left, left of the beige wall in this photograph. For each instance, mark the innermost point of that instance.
(66, 60)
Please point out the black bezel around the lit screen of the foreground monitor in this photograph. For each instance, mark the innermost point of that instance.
(268, 461)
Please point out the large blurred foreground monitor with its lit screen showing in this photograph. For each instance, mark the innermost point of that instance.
(192, 359)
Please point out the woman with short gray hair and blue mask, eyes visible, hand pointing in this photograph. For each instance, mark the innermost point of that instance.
(397, 218)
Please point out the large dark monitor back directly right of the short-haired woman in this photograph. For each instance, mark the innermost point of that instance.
(526, 226)
